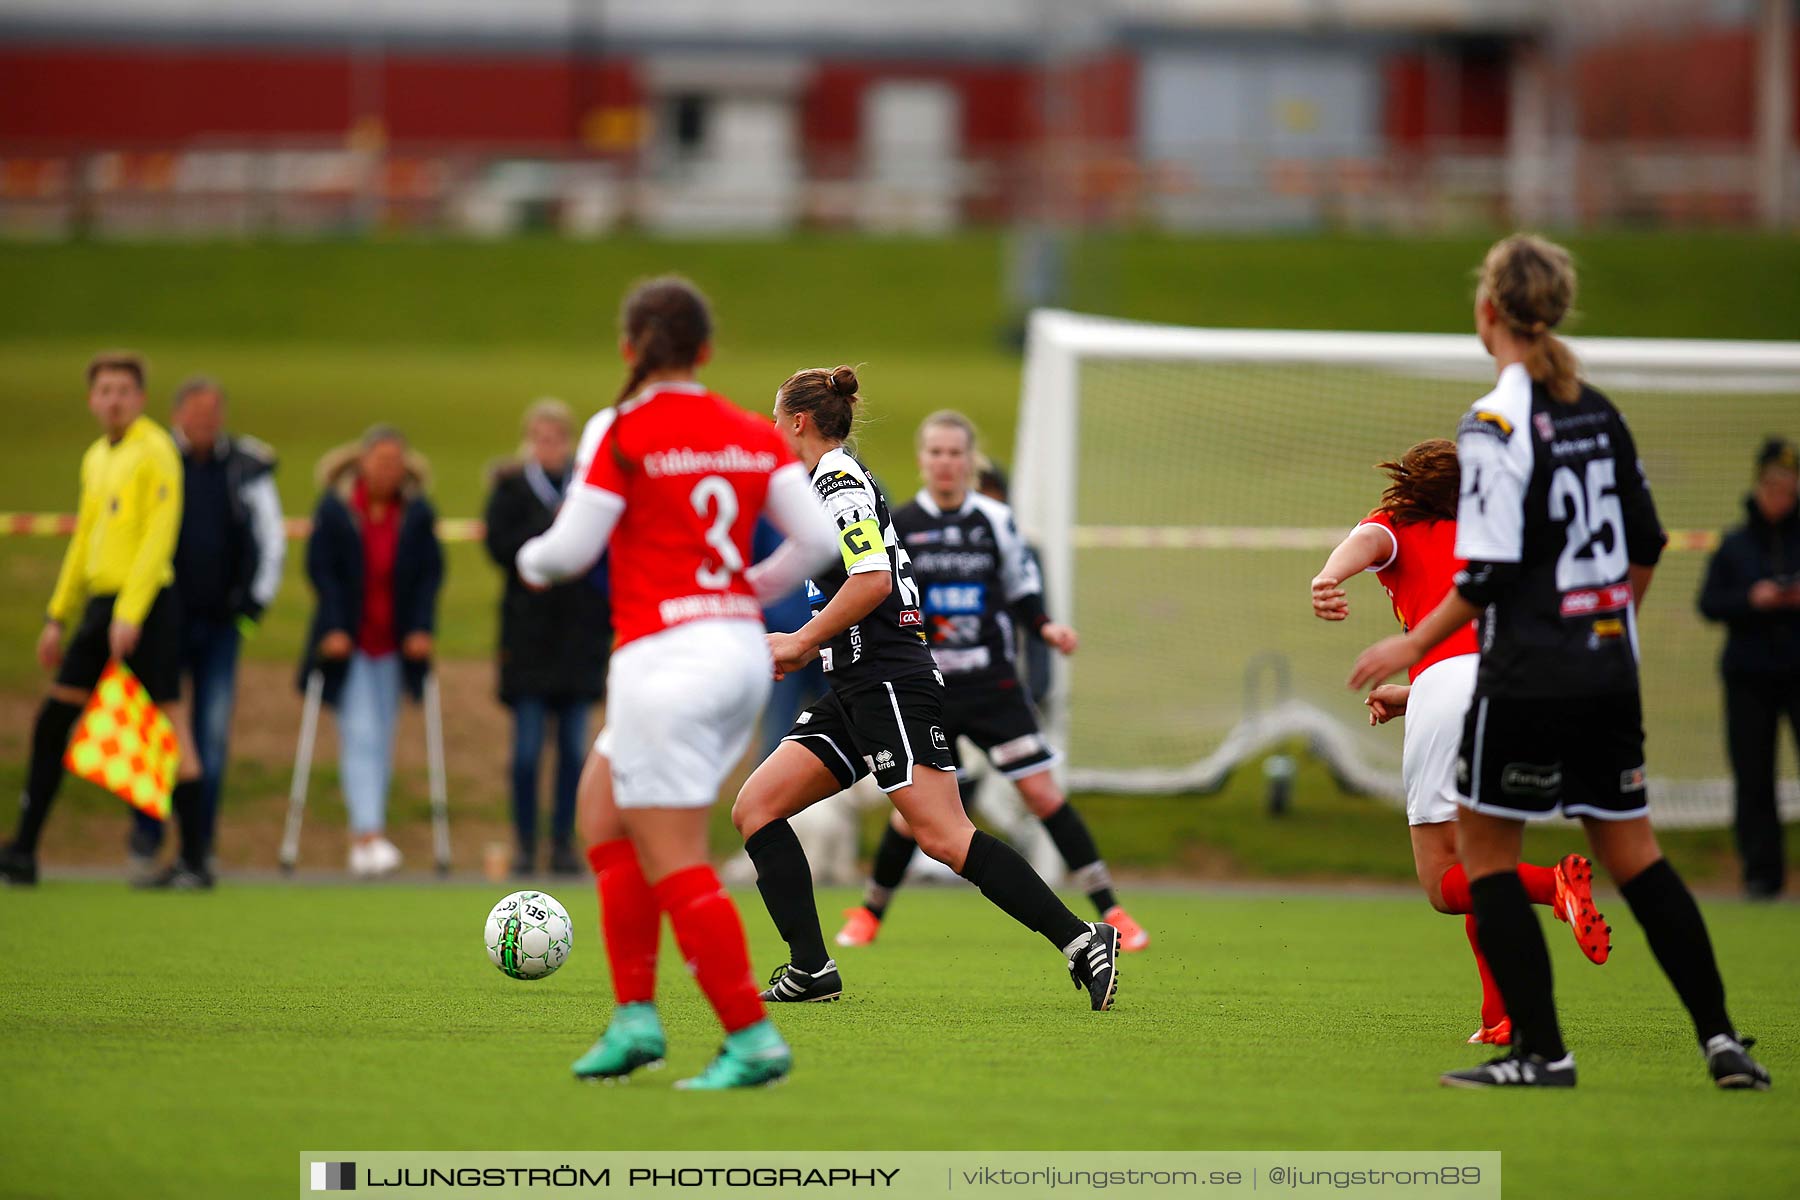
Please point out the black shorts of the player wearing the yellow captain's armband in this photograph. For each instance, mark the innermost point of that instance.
(881, 731)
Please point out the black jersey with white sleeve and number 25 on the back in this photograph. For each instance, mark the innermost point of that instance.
(1554, 514)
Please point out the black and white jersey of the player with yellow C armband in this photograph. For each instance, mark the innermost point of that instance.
(890, 643)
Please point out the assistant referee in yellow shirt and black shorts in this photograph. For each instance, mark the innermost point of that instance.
(116, 591)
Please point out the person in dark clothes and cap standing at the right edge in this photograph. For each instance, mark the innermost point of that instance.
(1754, 587)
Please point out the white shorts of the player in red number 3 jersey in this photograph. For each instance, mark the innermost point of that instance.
(681, 708)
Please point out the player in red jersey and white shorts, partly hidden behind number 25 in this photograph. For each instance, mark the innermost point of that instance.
(1410, 544)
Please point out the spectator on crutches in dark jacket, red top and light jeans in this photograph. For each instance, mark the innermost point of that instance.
(375, 566)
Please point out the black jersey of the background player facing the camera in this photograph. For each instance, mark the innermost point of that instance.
(975, 573)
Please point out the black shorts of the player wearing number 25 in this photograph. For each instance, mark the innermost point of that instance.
(1534, 758)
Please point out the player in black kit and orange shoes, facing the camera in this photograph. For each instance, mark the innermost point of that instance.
(975, 577)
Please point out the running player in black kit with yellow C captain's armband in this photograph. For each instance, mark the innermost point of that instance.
(883, 717)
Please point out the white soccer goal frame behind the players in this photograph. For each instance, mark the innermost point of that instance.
(1047, 483)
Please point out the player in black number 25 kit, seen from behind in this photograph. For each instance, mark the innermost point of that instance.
(1561, 539)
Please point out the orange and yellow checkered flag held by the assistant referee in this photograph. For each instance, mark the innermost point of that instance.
(125, 744)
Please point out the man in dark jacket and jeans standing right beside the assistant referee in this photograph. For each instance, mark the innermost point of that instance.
(228, 571)
